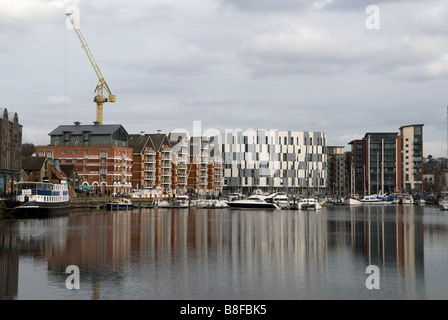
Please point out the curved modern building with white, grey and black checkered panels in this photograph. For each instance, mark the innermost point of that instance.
(273, 160)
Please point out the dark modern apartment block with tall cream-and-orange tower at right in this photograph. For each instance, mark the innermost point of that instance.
(389, 162)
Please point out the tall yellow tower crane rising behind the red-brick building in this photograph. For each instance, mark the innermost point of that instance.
(102, 85)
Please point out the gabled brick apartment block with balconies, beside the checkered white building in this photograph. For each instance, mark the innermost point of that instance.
(175, 162)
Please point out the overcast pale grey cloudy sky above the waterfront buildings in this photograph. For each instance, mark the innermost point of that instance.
(343, 67)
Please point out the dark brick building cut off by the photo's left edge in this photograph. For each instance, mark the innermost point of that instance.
(10, 150)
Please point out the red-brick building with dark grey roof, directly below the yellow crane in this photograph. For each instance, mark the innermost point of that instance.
(100, 154)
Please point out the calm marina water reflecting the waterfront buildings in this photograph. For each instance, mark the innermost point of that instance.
(228, 254)
